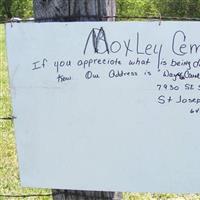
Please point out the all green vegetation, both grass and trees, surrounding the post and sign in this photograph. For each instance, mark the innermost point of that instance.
(9, 177)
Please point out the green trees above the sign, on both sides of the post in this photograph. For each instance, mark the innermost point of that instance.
(144, 8)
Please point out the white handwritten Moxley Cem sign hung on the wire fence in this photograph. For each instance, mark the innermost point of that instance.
(107, 106)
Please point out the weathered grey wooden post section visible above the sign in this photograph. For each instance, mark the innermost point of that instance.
(74, 10)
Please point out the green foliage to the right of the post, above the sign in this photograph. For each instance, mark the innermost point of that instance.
(168, 8)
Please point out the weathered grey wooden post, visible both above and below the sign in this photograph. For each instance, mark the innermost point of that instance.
(77, 10)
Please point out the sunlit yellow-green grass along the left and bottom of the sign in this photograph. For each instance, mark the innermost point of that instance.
(9, 177)
